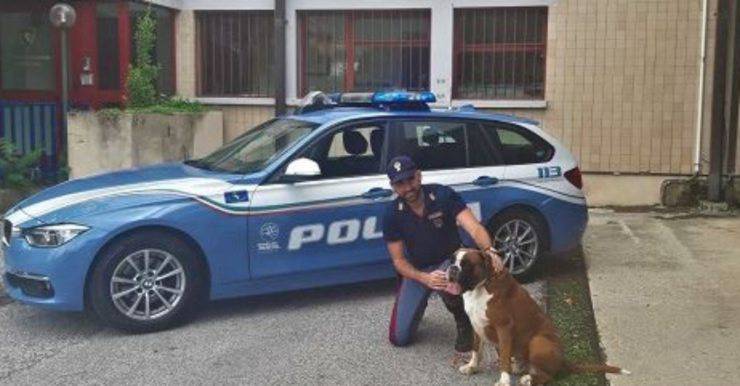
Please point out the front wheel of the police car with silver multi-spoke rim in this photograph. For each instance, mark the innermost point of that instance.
(148, 281)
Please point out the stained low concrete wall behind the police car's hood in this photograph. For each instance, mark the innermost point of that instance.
(105, 142)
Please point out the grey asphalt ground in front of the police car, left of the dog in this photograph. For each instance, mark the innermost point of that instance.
(334, 336)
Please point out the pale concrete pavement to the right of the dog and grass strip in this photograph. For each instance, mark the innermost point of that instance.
(665, 292)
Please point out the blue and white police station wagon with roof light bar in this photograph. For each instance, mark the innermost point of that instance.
(295, 203)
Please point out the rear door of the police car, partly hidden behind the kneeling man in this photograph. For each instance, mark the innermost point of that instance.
(456, 153)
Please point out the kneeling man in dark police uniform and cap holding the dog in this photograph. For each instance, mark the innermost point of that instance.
(420, 229)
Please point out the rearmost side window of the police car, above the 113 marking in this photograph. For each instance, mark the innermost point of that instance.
(519, 147)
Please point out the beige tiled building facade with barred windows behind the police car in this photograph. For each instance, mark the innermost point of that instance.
(623, 83)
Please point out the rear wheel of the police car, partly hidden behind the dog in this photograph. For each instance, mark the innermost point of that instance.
(519, 237)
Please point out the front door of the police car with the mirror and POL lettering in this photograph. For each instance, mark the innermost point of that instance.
(331, 222)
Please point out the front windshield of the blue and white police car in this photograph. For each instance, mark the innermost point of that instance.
(255, 149)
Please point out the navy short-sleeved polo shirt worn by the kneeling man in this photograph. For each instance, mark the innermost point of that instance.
(434, 236)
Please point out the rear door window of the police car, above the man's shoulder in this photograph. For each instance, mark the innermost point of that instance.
(434, 144)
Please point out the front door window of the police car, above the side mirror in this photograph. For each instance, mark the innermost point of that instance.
(351, 151)
